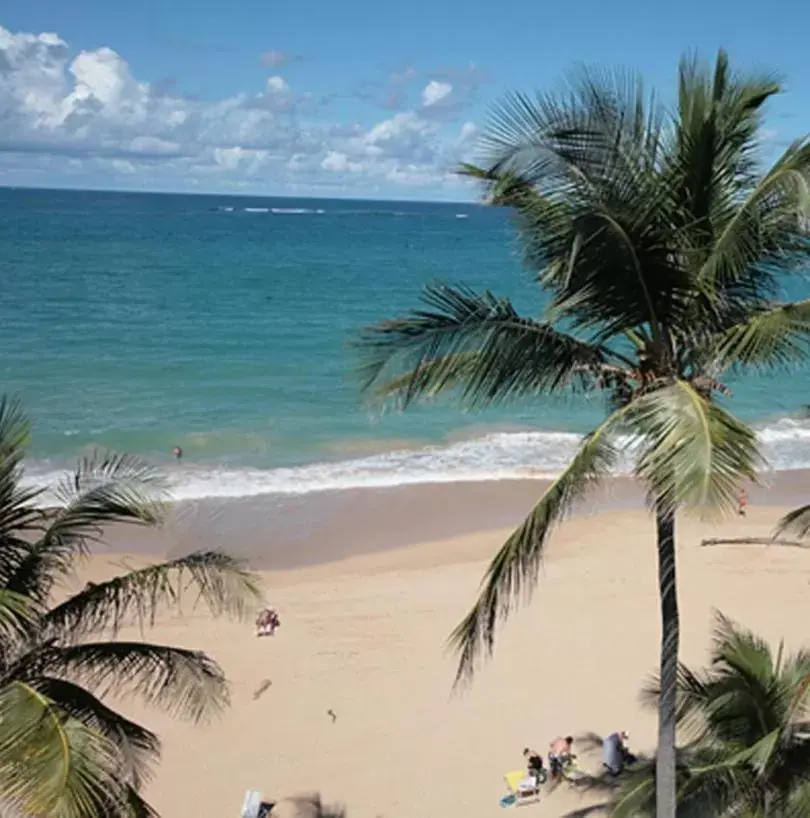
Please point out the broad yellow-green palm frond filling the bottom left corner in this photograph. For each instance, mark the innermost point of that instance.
(51, 764)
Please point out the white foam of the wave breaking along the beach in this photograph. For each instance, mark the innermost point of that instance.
(499, 456)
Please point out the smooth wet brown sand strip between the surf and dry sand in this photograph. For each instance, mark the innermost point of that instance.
(287, 532)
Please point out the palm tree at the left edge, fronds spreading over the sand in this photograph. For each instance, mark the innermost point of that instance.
(64, 750)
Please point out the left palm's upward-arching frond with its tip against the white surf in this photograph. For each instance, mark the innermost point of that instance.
(104, 490)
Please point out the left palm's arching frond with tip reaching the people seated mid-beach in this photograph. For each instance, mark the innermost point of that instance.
(221, 582)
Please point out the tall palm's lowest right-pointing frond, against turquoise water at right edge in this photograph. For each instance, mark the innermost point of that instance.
(776, 337)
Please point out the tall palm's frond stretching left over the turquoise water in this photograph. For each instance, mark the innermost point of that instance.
(477, 343)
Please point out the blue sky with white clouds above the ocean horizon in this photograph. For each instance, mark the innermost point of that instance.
(316, 98)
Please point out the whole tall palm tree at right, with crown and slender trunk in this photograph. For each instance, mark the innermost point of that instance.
(661, 247)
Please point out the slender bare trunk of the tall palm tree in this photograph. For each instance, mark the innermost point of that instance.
(665, 785)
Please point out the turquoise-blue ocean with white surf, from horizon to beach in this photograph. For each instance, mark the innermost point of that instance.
(223, 325)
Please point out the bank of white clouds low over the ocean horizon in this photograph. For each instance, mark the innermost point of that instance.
(84, 114)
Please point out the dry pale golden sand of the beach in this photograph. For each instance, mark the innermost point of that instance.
(364, 632)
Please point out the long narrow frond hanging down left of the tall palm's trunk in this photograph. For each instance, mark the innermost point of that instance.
(513, 571)
